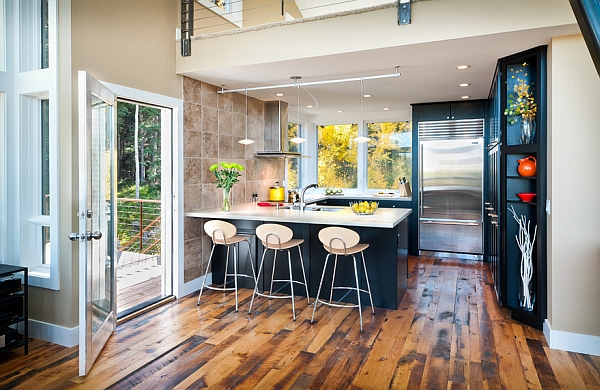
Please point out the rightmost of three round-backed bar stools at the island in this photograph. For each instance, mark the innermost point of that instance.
(345, 242)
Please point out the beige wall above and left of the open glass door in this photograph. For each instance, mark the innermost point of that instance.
(131, 43)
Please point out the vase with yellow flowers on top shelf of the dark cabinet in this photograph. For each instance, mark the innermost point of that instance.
(522, 105)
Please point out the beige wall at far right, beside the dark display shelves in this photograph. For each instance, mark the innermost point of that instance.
(573, 188)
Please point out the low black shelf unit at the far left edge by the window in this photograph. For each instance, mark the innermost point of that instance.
(13, 308)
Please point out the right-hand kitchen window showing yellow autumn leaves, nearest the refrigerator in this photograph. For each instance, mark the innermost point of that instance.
(390, 154)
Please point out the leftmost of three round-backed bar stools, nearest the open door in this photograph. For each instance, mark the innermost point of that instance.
(225, 233)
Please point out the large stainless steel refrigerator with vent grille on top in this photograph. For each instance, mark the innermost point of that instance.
(451, 186)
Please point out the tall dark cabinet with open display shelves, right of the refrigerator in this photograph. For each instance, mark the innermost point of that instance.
(523, 73)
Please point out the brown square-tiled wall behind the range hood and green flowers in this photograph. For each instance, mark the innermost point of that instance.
(213, 124)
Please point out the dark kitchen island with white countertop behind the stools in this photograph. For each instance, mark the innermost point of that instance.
(386, 232)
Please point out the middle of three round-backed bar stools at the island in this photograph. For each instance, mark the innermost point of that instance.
(279, 238)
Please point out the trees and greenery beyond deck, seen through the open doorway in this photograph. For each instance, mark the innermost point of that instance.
(139, 179)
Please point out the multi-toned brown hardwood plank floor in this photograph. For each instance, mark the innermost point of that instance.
(448, 333)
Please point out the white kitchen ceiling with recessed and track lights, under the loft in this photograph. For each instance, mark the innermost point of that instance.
(427, 70)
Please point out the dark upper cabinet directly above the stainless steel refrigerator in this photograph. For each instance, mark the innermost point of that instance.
(449, 111)
